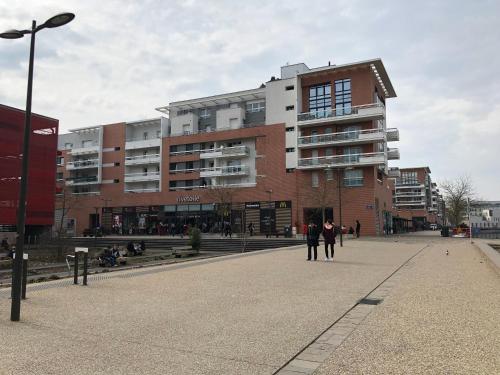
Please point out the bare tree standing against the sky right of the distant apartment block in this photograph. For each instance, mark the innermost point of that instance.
(456, 193)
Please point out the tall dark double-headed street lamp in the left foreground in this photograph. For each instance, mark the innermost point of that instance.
(56, 21)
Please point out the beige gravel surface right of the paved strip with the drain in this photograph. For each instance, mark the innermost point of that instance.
(442, 318)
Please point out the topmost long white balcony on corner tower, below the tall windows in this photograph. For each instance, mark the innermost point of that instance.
(364, 112)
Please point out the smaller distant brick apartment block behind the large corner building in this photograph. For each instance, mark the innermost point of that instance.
(417, 199)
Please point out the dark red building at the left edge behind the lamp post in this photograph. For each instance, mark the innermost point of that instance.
(42, 170)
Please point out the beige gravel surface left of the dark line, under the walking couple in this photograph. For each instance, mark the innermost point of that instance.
(240, 315)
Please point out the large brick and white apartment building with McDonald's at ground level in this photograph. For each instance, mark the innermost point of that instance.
(272, 156)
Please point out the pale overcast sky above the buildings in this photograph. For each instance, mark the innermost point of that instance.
(118, 60)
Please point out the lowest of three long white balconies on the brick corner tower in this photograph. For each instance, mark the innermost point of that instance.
(342, 161)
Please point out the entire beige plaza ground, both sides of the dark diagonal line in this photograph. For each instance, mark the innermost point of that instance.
(269, 312)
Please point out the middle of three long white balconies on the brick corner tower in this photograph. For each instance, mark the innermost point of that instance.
(342, 138)
